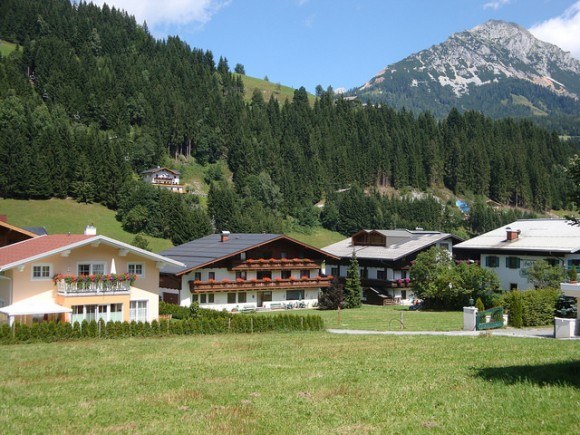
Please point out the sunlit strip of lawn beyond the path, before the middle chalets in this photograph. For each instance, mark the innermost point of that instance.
(376, 318)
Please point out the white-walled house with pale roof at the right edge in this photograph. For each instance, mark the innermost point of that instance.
(511, 250)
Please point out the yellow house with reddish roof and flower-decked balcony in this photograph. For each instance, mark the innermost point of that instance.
(76, 277)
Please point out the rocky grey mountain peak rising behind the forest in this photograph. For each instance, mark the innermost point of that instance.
(498, 68)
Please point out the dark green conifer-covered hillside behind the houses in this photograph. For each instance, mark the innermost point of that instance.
(91, 99)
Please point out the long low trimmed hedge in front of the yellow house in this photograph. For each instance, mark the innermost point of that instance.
(217, 323)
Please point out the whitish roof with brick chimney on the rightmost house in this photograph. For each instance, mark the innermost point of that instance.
(543, 235)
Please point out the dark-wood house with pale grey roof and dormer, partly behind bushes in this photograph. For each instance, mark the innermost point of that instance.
(384, 258)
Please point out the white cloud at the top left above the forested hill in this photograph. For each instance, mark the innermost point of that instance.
(168, 12)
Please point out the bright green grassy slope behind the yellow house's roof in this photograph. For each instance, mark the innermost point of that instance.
(65, 215)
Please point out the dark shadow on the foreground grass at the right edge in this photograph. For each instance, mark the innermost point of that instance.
(562, 373)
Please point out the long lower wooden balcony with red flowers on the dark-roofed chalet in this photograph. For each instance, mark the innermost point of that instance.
(257, 284)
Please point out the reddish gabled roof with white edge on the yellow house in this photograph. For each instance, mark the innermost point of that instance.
(44, 246)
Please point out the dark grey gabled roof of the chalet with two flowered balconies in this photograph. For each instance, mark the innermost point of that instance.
(209, 249)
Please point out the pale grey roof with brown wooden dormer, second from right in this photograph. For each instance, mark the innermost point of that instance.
(406, 242)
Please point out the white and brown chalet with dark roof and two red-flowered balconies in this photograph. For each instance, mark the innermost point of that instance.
(245, 272)
